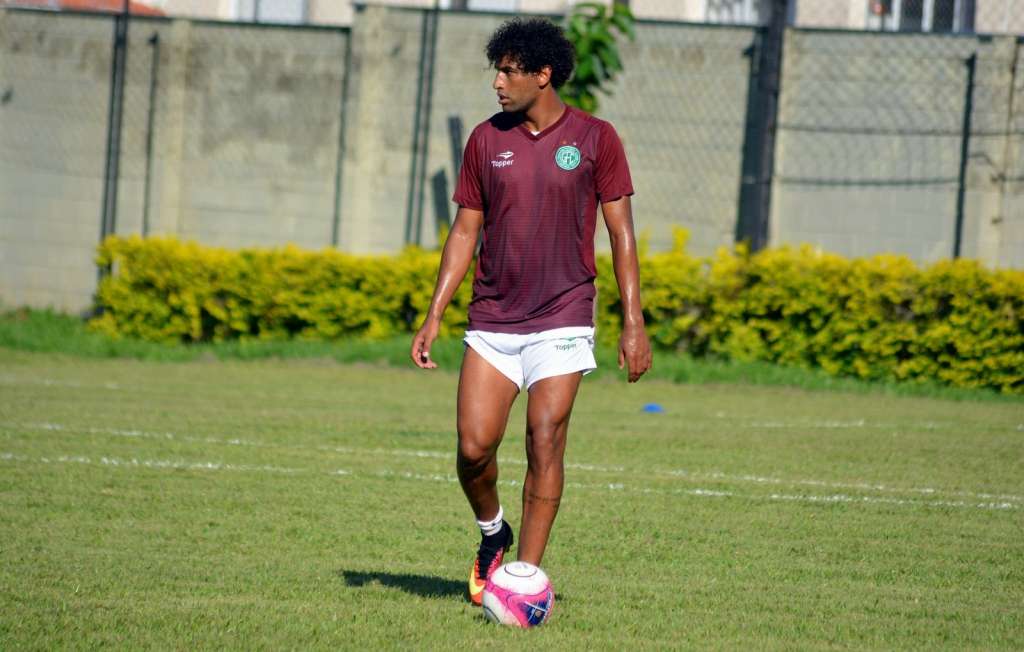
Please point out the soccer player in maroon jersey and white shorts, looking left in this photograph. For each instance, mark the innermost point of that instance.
(532, 179)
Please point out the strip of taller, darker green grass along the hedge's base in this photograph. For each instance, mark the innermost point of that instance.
(42, 331)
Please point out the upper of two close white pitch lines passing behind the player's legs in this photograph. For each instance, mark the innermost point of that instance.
(437, 455)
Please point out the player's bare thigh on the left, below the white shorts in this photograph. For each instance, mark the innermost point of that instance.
(486, 398)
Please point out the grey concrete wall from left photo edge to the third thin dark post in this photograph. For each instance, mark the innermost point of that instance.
(245, 142)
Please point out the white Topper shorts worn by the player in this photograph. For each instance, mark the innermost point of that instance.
(528, 359)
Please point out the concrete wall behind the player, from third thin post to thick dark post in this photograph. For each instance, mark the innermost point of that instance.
(680, 112)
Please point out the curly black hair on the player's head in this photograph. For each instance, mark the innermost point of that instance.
(534, 44)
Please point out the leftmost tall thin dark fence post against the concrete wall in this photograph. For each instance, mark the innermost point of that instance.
(119, 64)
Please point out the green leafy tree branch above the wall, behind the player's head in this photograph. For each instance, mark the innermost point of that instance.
(594, 30)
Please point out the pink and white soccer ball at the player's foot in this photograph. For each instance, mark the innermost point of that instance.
(520, 595)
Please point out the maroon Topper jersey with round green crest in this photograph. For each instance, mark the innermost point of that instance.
(539, 195)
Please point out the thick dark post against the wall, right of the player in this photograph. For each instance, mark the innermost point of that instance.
(759, 140)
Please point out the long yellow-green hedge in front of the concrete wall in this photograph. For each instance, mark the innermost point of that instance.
(881, 318)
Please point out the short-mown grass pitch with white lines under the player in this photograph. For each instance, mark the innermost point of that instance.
(309, 504)
